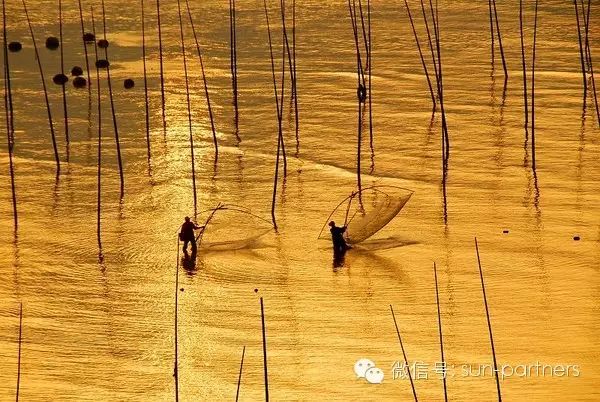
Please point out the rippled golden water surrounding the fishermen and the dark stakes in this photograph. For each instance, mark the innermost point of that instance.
(104, 329)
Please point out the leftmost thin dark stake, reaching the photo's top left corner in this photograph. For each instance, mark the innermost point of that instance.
(10, 131)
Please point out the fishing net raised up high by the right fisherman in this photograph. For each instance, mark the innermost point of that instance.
(367, 211)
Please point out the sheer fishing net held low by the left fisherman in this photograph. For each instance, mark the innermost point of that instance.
(230, 227)
